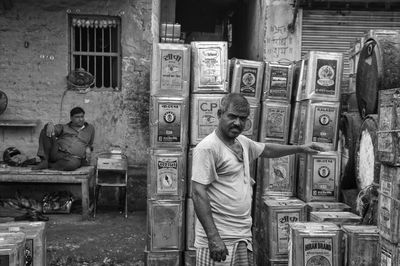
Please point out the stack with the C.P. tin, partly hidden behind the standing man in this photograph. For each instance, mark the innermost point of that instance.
(209, 83)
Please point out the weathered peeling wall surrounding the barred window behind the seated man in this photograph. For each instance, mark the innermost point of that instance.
(34, 77)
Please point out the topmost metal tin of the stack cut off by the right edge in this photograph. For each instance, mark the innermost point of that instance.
(389, 126)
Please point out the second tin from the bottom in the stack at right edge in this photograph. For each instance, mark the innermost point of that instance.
(389, 218)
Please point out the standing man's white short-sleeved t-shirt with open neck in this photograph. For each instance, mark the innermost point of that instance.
(229, 186)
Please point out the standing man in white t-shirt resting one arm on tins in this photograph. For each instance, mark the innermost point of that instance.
(222, 186)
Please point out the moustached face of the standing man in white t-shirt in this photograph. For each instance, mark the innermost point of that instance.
(232, 122)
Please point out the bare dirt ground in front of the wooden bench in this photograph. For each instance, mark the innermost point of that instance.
(108, 240)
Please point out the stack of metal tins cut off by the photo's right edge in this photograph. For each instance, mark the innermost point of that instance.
(389, 192)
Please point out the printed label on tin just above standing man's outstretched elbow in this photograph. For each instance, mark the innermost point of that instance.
(276, 122)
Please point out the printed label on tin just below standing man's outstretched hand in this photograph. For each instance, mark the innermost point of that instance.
(324, 175)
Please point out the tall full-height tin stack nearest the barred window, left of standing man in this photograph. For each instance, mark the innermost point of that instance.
(166, 179)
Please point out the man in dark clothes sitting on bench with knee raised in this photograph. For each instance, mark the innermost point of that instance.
(66, 146)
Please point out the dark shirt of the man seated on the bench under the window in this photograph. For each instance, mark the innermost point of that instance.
(74, 141)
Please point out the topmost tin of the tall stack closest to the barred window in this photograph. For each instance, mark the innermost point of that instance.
(170, 70)
